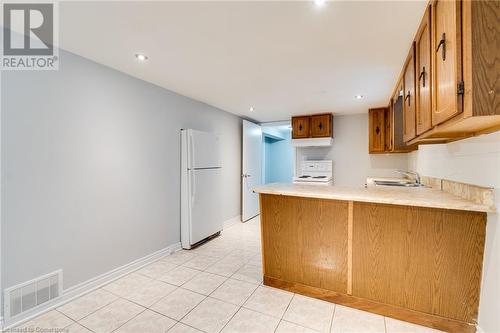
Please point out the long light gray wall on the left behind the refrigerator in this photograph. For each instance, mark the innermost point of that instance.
(90, 169)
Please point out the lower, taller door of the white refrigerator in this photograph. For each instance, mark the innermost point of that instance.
(205, 202)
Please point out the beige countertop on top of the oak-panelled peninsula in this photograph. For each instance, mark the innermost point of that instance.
(420, 197)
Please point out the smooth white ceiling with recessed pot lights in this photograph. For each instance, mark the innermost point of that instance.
(283, 58)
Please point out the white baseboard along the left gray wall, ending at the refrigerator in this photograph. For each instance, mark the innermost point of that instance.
(88, 286)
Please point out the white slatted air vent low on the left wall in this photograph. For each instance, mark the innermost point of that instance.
(28, 295)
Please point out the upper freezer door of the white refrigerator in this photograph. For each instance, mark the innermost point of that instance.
(204, 150)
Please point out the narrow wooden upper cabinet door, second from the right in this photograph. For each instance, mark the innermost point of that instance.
(423, 65)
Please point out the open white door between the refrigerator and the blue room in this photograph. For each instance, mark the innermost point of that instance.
(251, 169)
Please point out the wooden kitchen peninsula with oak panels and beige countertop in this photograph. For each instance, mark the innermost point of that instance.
(414, 254)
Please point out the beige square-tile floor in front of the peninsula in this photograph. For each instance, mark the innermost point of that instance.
(214, 288)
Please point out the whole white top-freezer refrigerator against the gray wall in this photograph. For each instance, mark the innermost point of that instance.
(200, 187)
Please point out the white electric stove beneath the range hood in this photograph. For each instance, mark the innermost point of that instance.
(315, 172)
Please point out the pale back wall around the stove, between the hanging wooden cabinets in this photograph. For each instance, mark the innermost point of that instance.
(349, 152)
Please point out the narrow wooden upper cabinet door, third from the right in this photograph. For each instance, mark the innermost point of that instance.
(409, 128)
